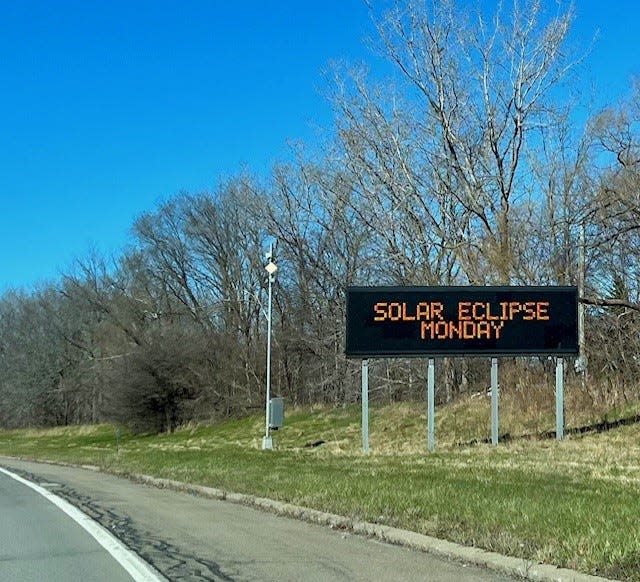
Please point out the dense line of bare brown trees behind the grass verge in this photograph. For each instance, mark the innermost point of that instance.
(477, 165)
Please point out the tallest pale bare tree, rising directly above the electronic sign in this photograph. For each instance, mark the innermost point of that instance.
(480, 89)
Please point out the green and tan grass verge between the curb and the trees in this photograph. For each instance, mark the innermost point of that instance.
(574, 504)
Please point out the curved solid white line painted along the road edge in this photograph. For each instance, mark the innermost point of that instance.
(139, 570)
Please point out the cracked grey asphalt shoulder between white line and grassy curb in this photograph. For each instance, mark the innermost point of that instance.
(191, 538)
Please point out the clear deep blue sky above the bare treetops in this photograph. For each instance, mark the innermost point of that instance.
(108, 107)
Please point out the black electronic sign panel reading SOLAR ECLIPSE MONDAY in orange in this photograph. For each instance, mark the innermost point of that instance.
(490, 321)
